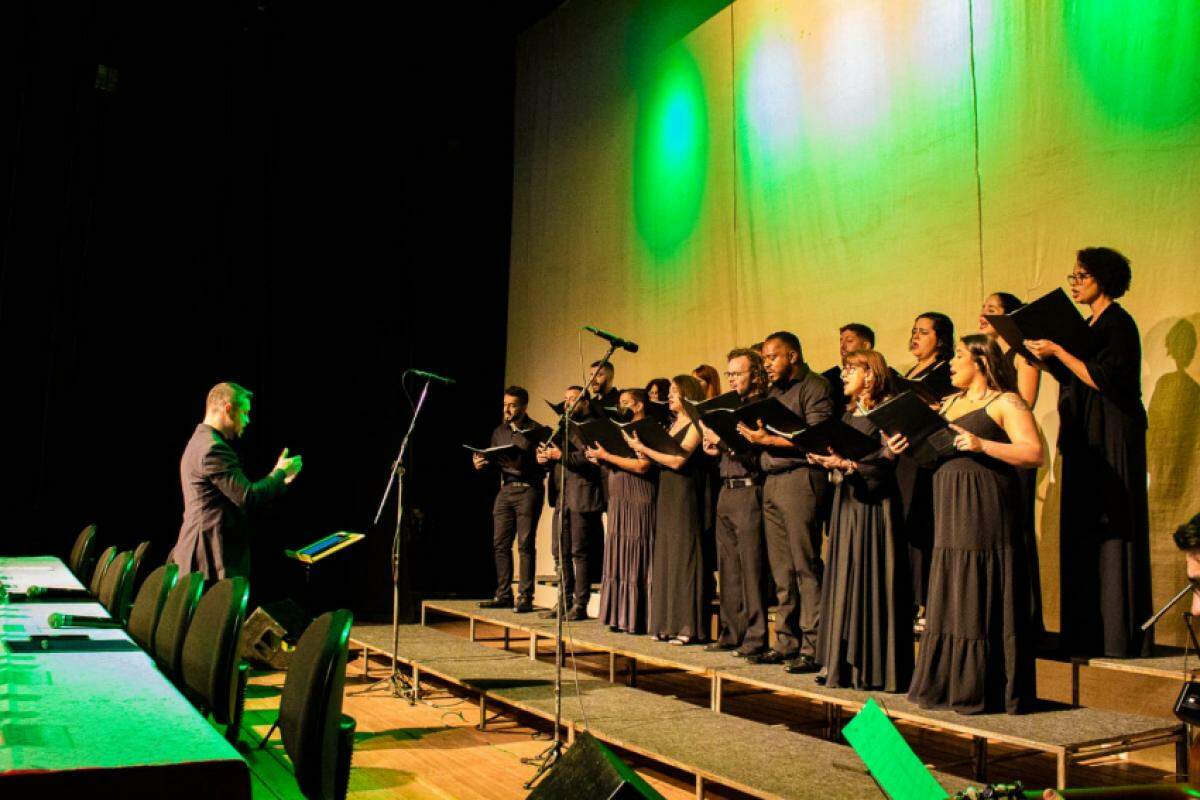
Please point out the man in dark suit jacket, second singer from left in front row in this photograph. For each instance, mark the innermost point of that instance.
(581, 506)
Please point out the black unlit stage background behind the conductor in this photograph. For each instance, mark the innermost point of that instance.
(304, 199)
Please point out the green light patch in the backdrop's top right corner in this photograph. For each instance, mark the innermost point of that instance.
(1139, 58)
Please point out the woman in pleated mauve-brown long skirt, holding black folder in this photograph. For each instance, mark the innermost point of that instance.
(626, 586)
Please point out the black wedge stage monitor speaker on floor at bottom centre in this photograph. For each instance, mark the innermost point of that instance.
(589, 771)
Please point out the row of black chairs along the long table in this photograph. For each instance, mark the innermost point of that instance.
(195, 639)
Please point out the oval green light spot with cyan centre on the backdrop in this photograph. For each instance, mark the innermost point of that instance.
(670, 152)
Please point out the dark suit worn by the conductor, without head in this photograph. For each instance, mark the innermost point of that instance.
(217, 496)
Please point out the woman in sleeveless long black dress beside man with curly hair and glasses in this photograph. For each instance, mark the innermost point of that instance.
(677, 567)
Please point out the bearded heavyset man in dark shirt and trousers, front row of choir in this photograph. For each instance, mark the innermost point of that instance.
(793, 497)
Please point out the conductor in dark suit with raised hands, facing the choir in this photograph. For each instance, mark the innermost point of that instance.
(218, 495)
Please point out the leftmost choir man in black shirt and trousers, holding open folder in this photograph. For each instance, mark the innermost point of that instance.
(518, 504)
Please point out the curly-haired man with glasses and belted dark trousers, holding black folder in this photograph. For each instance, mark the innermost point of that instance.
(740, 522)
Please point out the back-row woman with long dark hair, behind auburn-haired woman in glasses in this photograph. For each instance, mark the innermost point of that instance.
(932, 342)
